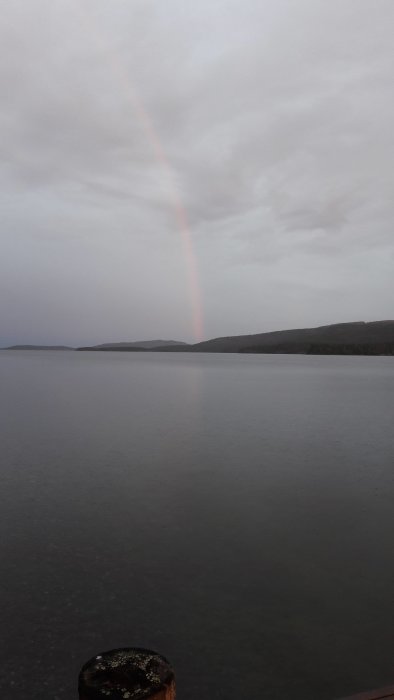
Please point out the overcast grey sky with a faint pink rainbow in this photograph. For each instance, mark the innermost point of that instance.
(173, 168)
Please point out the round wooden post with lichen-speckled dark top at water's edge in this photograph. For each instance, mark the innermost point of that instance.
(127, 674)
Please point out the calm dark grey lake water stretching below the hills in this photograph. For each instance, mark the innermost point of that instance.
(235, 513)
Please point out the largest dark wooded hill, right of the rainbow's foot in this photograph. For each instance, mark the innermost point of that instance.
(358, 338)
